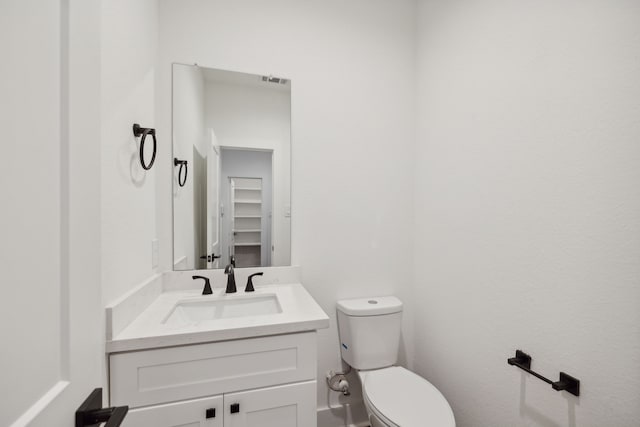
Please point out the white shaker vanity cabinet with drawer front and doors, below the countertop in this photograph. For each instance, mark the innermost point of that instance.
(254, 382)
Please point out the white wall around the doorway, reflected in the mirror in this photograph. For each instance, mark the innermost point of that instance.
(250, 116)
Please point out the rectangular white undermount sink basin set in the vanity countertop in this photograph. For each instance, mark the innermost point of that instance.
(211, 308)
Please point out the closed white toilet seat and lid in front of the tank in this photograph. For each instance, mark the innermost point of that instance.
(402, 398)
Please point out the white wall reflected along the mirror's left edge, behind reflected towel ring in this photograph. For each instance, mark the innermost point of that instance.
(188, 131)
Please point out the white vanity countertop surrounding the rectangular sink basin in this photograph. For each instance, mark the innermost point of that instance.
(149, 329)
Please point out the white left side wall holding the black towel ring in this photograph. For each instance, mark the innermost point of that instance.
(129, 54)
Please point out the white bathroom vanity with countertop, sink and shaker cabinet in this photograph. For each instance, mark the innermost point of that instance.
(233, 360)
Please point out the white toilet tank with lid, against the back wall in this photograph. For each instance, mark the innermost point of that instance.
(369, 331)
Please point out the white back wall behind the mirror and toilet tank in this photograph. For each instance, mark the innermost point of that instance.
(351, 65)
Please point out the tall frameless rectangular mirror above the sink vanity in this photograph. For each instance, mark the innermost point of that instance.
(231, 169)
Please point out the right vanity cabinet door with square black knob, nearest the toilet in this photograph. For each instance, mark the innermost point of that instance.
(291, 405)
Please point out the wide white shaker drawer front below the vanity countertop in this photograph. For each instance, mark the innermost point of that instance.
(151, 377)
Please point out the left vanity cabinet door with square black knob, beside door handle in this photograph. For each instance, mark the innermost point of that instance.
(190, 413)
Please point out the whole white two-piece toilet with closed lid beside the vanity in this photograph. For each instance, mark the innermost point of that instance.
(369, 342)
